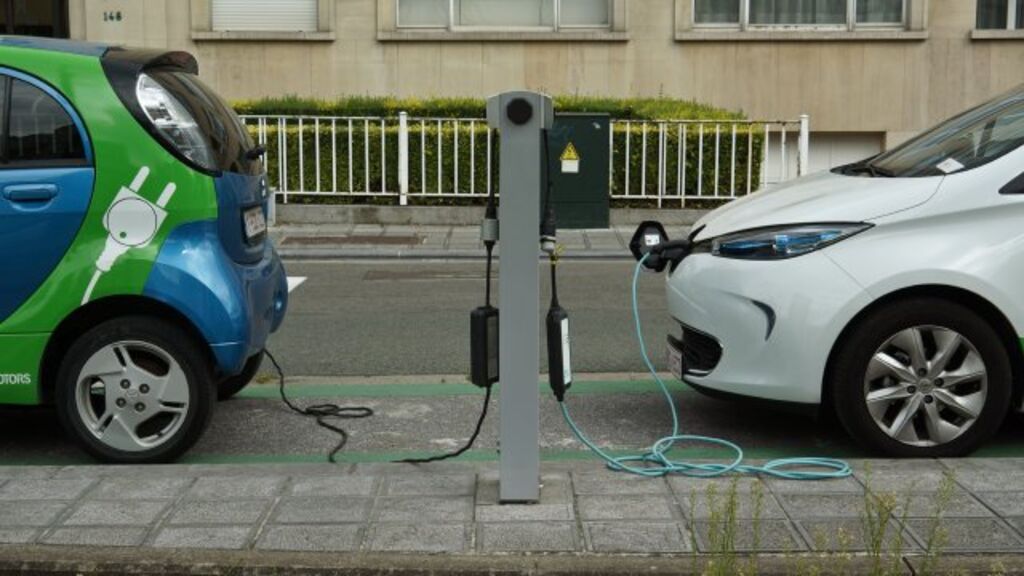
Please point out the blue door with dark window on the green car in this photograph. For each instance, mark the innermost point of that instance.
(47, 179)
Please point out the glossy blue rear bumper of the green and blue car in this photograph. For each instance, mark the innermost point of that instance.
(235, 307)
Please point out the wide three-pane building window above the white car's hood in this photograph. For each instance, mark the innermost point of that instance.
(826, 14)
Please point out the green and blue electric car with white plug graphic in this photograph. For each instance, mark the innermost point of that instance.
(138, 282)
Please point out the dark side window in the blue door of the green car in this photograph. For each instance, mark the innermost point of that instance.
(38, 131)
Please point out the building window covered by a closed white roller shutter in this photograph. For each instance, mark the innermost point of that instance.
(265, 16)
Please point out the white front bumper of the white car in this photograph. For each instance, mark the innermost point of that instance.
(761, 330)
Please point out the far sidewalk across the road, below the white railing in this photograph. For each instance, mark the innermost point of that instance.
(425, 242)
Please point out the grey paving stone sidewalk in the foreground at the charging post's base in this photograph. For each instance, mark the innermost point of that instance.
(453, 509)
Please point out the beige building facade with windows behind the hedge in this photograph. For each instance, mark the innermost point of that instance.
(870, 73)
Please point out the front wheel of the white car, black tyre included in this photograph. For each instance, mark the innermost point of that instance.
(925, 378)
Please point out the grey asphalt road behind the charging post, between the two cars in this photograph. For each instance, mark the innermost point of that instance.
(395, 317)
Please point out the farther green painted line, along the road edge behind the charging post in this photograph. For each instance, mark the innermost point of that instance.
(433, 390)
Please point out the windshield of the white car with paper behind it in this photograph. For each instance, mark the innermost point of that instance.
(967, 141)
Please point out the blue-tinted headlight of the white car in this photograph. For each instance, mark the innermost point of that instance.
(783, 242)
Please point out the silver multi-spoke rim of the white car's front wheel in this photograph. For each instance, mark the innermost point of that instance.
(926, 386)
